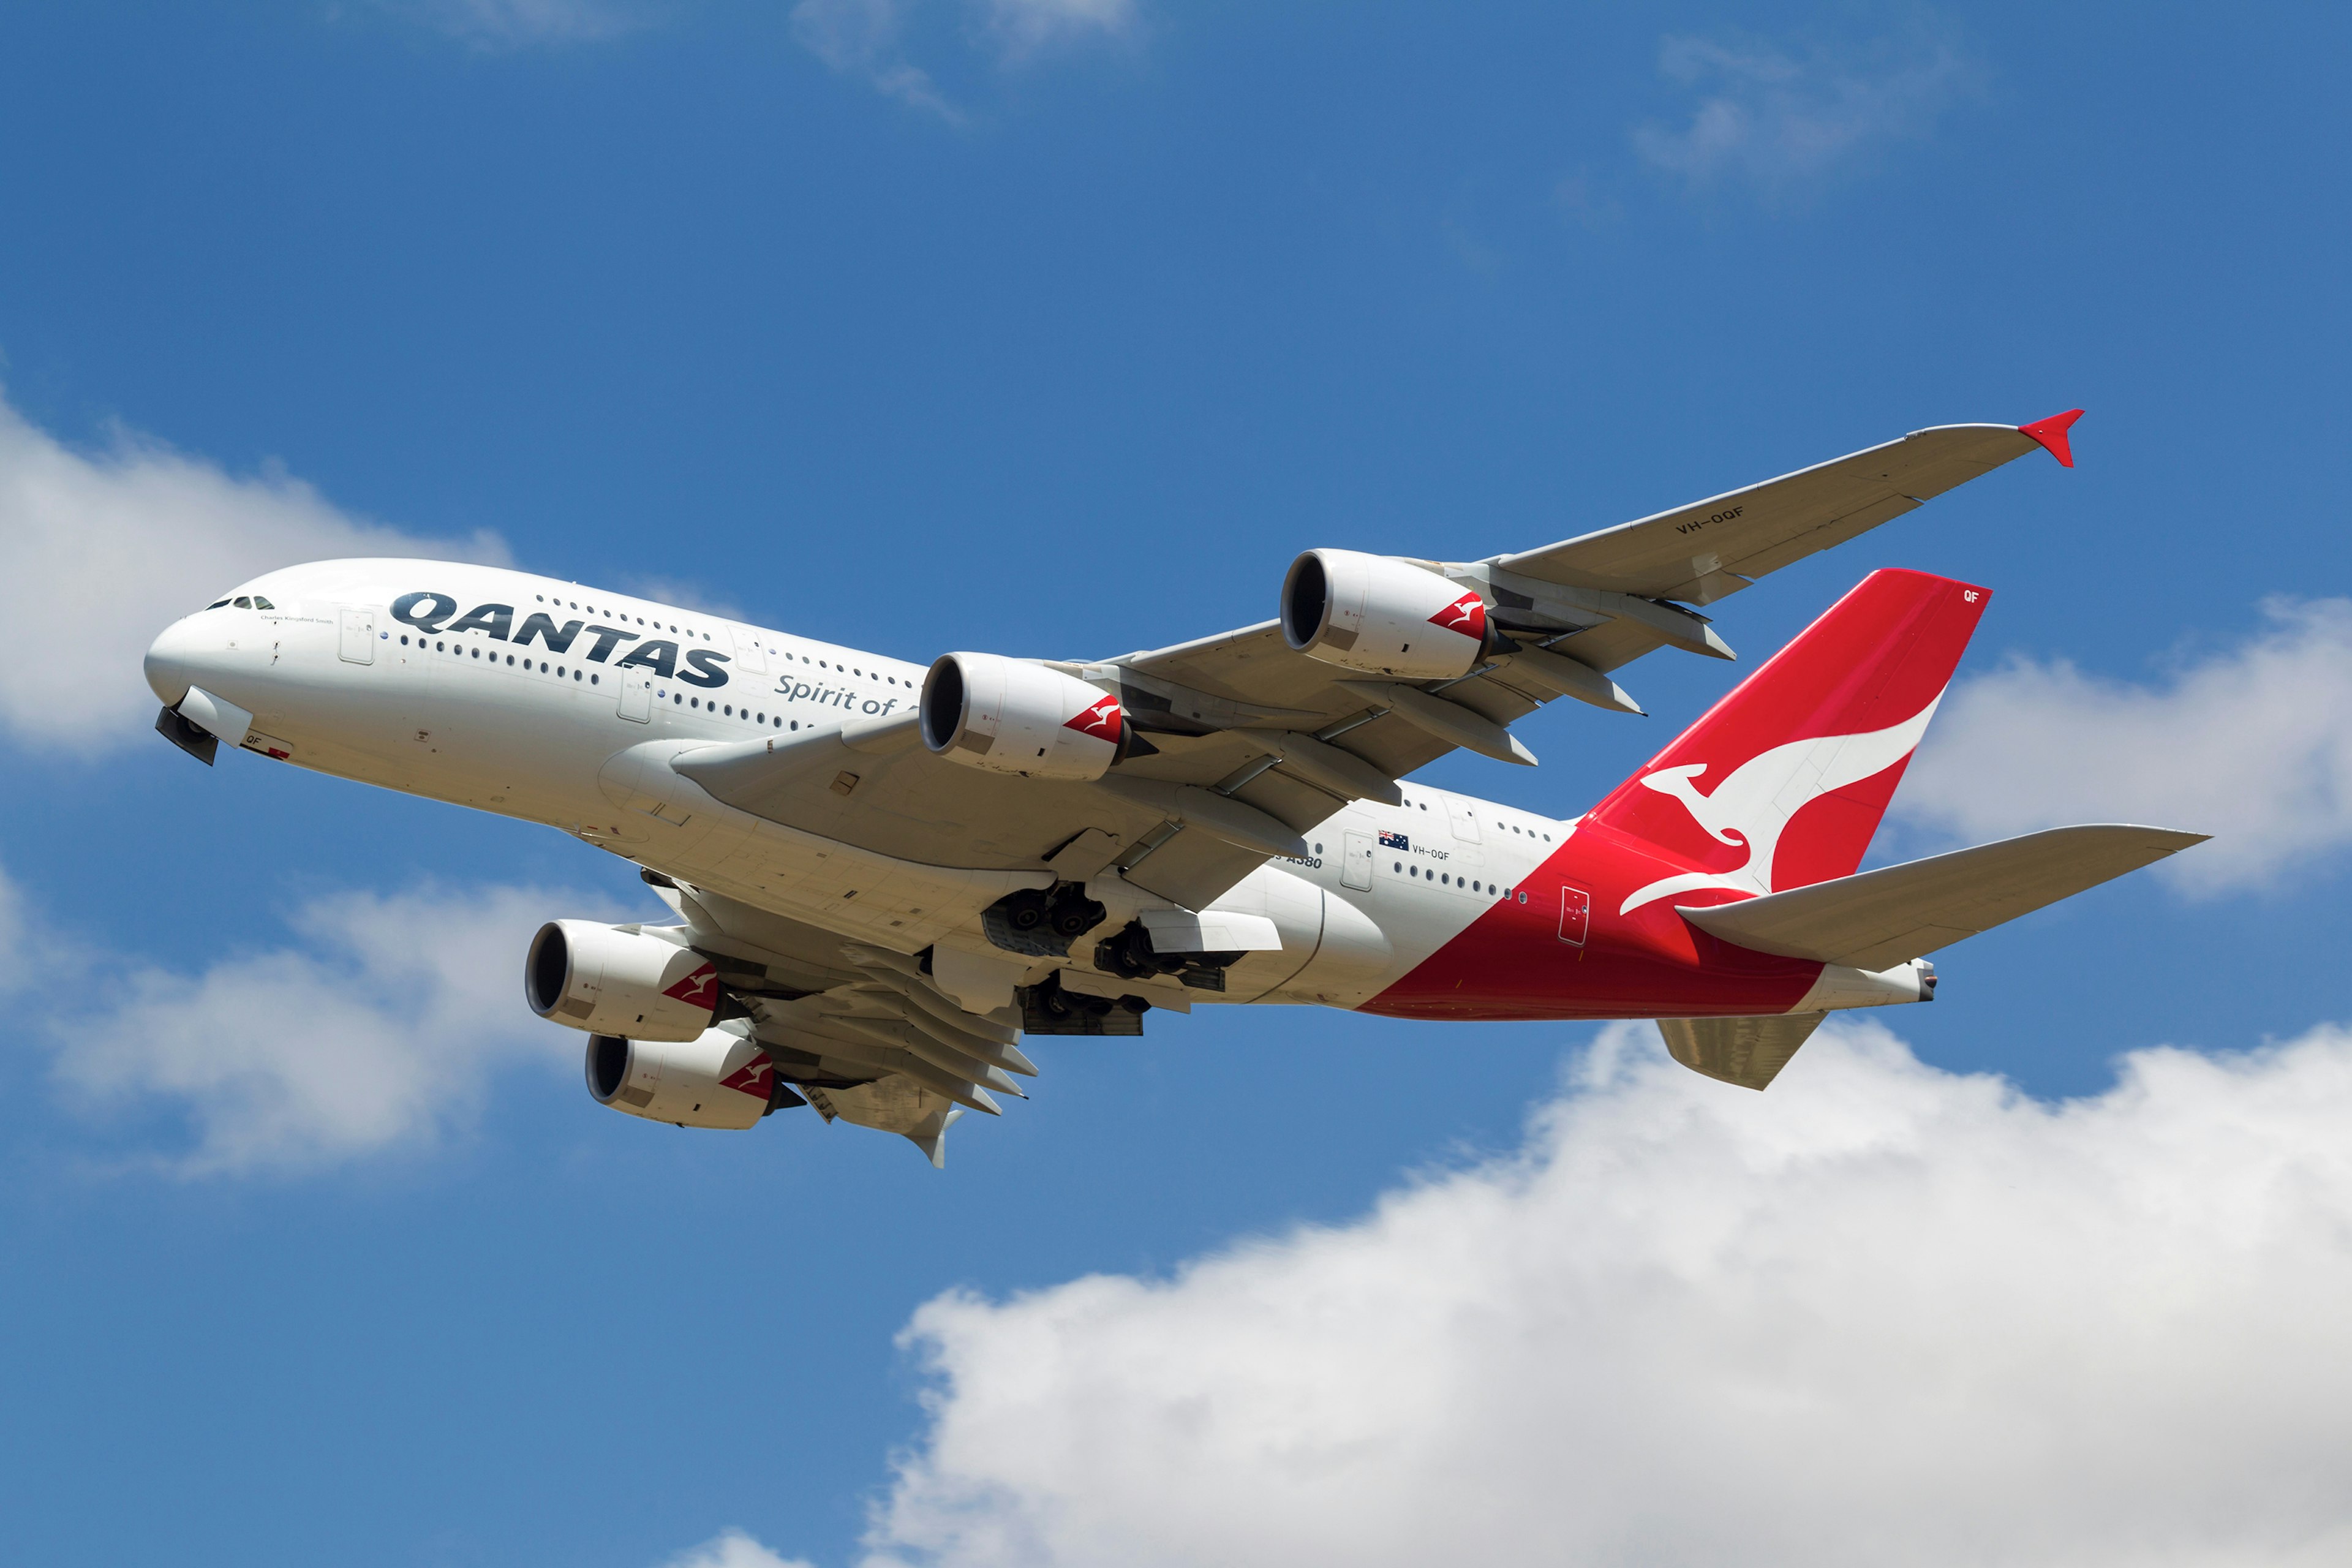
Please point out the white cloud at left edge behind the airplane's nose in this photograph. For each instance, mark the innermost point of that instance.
(105, 549)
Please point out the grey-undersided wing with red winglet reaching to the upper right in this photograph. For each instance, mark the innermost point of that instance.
(1252, 744)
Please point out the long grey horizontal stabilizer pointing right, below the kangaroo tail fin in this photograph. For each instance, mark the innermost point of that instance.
(1899, 913)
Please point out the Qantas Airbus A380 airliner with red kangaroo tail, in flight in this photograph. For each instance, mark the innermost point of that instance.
(888, 876)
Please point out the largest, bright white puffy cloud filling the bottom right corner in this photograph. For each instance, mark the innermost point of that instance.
(1876, 1315)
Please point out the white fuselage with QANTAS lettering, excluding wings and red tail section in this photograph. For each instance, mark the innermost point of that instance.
(568, 709)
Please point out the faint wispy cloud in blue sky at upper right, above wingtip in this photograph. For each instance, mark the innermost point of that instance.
(1779, 119)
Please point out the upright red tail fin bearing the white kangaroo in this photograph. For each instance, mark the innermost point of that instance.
(1784, 782)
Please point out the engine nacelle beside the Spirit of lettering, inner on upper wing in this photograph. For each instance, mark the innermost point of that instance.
(1008, 716)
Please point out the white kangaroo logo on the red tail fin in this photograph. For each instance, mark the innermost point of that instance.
(1760, 798)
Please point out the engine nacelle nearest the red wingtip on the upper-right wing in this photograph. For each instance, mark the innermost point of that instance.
(1382, 617)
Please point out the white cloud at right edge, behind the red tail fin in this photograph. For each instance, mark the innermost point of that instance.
(2250, 744)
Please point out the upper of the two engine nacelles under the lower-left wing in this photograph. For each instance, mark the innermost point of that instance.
(610, 979)
